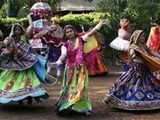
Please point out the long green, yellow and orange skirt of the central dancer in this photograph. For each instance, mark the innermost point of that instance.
(74, 94)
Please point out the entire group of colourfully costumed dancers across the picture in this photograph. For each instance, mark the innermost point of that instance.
(25, 65)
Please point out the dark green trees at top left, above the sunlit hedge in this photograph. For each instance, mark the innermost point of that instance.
(20, 8)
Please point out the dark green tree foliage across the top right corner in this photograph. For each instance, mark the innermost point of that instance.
(141, 12)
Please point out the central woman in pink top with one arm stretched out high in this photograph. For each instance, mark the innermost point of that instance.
(74, 94)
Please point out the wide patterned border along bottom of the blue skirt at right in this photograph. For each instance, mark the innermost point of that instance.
(115, 102)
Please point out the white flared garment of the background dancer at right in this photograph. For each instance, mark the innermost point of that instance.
(120, 44)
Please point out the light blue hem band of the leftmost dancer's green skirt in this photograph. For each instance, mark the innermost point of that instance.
(13, 97)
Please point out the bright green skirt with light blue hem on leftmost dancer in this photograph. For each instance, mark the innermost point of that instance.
(20, 85)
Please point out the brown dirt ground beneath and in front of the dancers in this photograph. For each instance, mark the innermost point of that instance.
(97, 89)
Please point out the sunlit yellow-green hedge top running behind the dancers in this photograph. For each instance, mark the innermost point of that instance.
(89, 19)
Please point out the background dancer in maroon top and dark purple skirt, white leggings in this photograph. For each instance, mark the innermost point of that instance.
(53, 38)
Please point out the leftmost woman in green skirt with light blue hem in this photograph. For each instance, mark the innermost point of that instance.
(22, 72)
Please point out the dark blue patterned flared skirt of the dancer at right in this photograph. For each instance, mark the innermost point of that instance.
(135, 89)
